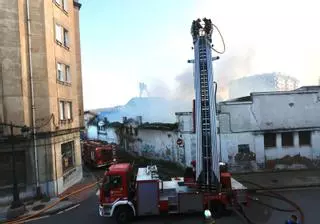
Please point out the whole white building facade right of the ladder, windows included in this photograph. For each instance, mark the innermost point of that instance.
(273, 130)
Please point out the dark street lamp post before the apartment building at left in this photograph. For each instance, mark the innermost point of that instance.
(15, 190)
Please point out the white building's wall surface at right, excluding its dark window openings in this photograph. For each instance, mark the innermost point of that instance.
(246, 123)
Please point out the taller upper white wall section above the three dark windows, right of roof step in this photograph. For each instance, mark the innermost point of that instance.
(287, 111)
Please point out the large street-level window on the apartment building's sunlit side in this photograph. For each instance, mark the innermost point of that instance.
(68, 156)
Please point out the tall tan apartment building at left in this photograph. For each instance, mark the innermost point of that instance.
(40, 88)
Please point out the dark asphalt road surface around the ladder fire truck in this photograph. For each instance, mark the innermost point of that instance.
(307, 199)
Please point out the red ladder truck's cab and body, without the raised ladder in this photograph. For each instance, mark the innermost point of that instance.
(124, 195)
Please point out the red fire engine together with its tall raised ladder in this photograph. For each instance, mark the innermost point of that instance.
(208, 185)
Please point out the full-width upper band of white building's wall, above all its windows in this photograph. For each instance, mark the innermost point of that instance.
(268, 112)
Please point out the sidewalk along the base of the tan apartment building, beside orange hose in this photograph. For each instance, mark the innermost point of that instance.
(34, 207)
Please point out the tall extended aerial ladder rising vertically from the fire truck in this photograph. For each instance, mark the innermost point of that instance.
(207, 155)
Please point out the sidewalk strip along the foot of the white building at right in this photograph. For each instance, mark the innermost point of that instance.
(281, 179)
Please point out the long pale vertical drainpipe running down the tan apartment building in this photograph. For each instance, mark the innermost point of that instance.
(38, 190)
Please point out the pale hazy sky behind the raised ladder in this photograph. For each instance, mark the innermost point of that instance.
(125, 42)
